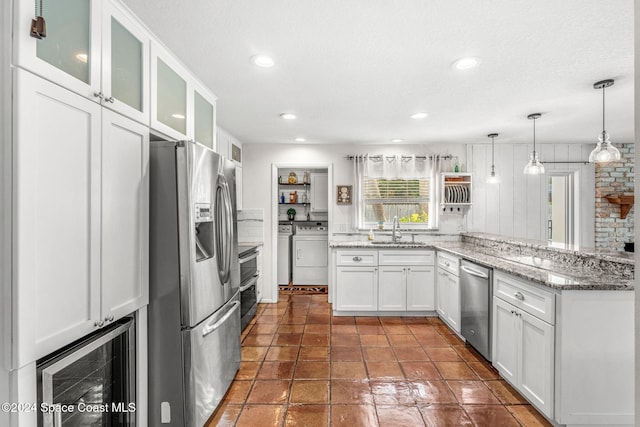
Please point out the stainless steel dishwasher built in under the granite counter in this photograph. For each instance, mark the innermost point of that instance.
(475, 300)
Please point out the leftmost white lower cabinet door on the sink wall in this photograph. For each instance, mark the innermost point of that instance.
(357, 288)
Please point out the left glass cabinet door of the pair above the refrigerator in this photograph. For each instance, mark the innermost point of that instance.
(171, 98)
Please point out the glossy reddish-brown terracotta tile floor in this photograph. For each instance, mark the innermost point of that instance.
(303, 367)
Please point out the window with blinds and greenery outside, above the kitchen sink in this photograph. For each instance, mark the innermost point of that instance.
(408, 199)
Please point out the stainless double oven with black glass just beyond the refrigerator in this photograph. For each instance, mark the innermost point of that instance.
(248, 257)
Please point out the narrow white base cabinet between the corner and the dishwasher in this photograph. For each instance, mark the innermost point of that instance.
(448, 290)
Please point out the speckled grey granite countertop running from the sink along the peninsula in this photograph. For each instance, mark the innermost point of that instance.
(541, 271)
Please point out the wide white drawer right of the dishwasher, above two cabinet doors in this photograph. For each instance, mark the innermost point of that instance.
(533, 300)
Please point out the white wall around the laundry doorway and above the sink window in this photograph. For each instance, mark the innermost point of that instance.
(258, 185)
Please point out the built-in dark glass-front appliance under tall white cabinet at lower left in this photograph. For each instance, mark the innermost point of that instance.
(90, 382)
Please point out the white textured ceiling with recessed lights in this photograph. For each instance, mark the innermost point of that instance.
(355, 70)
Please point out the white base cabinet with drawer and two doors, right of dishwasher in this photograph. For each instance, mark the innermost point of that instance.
(523, 343)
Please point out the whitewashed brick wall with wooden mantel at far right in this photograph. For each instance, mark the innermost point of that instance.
(611, 231)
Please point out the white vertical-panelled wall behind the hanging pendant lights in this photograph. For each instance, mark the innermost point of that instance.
(517, 207)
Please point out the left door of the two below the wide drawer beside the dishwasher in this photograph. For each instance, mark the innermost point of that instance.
(505, 337)
